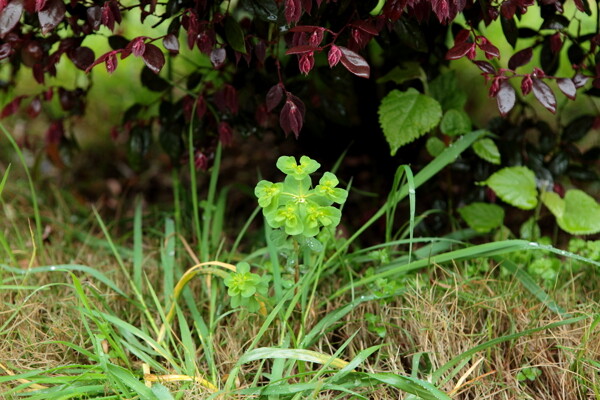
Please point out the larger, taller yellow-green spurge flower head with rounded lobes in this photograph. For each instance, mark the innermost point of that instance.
(294, 205)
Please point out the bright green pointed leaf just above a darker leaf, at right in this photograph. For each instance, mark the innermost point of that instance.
(515, 186)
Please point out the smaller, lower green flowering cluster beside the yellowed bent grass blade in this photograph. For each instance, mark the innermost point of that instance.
(245, 288)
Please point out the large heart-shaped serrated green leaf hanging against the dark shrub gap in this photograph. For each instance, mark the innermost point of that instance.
(406, 116)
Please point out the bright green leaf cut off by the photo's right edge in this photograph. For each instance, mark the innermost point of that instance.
(578, 213)
